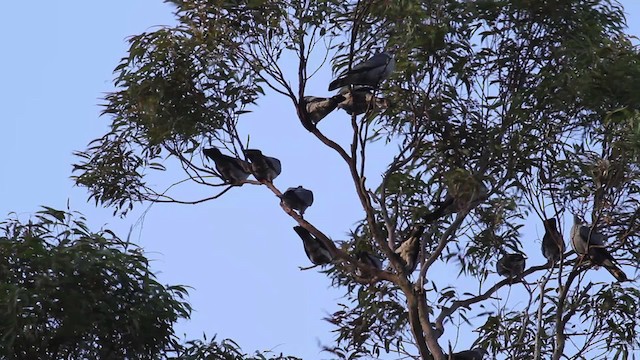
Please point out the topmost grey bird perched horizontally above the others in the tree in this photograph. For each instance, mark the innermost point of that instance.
(371, 72)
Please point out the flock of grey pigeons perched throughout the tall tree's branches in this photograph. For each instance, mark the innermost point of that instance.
(357, 96)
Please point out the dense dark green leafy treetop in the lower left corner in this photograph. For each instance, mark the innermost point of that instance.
(70, 293)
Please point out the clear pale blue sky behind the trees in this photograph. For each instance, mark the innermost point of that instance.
(239, 252)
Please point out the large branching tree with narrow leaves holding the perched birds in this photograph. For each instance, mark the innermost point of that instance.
(503, 112)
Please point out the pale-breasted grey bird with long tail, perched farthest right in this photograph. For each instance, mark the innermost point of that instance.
(587, 242)
